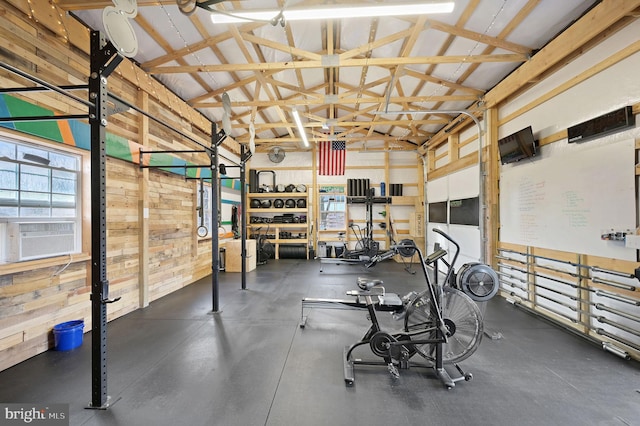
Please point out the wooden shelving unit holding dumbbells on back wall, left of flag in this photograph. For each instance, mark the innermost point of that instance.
(284, 233)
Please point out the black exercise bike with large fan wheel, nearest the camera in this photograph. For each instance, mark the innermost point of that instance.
(441, 324)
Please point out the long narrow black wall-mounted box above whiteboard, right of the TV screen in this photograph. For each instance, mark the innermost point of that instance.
(611, 122)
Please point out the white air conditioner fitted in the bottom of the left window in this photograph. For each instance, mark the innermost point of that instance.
(34, 240)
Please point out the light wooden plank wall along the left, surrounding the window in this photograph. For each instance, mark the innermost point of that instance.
(36, 295)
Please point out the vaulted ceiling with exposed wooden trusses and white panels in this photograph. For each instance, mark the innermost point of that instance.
(345, 76)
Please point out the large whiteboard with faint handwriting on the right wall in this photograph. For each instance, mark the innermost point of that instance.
(566, 200)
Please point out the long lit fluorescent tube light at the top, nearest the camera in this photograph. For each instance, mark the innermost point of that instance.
(334, 12)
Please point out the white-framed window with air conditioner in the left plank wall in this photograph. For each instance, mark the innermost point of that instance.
(40, 201)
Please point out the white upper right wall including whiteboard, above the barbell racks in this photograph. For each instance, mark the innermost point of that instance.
(599, 170)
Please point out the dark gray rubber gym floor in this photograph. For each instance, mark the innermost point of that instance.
(174, 363)
